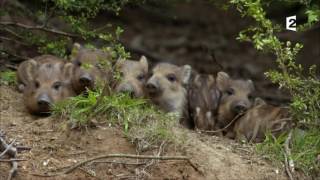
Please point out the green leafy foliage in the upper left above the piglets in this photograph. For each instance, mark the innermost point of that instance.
(73, 19)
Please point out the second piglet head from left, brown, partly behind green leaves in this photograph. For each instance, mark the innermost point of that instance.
(88, 64)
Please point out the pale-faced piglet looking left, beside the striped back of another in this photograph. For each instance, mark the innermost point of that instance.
(166, 86)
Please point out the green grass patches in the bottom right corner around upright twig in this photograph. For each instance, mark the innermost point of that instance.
(305, 147)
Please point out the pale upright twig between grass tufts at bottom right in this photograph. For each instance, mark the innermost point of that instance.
(289, 164)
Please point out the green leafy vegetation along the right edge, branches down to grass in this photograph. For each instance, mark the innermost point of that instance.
(303, 87)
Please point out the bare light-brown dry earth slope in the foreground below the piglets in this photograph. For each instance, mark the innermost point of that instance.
(54, 147)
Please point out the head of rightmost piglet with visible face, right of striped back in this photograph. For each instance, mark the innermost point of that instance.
(236, 98)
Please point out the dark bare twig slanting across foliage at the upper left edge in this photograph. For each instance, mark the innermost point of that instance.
(37, 27)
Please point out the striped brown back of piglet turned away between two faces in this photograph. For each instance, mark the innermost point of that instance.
(203, 100)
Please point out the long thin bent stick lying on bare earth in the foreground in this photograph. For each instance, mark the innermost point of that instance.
(75, 166)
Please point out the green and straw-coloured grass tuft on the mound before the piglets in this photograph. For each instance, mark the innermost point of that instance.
(142, 123)
